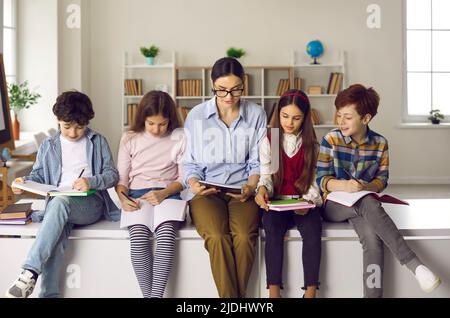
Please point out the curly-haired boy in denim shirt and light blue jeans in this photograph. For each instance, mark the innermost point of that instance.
(76, 157)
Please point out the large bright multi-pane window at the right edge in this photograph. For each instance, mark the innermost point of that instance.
(427, 58)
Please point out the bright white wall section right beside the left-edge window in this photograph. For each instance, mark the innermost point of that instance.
(38, 59)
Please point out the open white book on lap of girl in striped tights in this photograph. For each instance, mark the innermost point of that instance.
(152, 216)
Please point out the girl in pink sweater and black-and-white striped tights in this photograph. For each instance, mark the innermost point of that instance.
(150, 171)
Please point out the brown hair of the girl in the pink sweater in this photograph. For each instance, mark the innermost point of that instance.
(156, 103)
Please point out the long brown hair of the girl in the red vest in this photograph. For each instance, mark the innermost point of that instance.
(309, 141)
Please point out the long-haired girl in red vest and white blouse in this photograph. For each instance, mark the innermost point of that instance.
(296, 147)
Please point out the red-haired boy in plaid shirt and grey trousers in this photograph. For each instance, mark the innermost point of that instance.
(353, 158)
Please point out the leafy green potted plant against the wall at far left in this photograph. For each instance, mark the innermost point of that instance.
(20, 97)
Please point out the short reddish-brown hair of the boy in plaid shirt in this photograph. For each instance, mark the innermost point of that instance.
(366, 100)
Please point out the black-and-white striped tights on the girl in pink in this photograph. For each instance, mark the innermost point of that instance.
(151, 272)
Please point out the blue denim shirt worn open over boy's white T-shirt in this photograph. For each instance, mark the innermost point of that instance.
(47, 170)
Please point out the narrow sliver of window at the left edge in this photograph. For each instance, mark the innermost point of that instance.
(10, 40)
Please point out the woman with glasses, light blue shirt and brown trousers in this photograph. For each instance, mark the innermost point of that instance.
(223, 135)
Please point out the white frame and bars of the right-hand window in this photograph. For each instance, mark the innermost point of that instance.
(407, 118)
